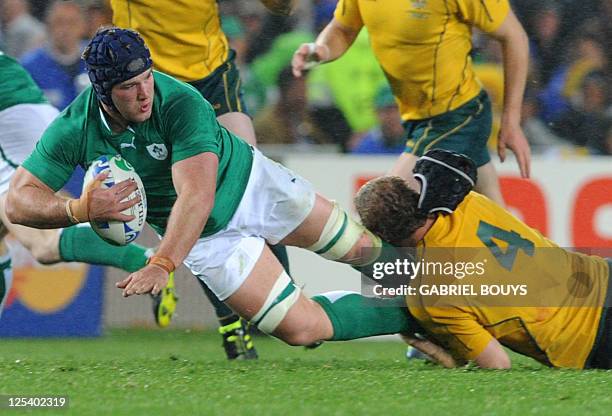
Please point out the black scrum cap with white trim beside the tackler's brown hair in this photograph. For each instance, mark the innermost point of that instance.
(446, 178)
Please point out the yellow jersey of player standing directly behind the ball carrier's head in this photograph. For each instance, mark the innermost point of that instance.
(184, 36)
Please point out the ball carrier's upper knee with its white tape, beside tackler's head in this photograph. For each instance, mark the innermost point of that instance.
(343, 239)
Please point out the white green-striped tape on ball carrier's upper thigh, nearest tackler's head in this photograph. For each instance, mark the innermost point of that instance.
(339, 235)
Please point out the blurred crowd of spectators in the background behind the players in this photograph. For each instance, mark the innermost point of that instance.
(346, 105)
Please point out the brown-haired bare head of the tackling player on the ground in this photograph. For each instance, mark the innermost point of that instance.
(389, 208)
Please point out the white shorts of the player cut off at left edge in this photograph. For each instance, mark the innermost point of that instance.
(20, 128)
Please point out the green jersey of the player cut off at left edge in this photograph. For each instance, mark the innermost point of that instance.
(16, 85)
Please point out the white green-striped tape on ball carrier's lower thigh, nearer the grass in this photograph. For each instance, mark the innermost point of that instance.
(282, 297)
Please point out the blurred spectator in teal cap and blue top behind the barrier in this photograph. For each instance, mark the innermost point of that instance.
(388, 136)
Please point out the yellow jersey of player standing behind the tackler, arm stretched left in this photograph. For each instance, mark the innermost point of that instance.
(424, 47)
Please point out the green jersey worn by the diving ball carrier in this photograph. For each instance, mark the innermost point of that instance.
(182, 125)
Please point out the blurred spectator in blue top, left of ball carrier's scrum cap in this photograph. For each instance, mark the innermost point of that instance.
(57, 67)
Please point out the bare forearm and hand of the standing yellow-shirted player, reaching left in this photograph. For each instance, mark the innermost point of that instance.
(332, 43)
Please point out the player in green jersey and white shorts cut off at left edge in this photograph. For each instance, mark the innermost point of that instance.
(24, 115)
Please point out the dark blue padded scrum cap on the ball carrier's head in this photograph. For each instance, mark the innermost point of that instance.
(115, 55)
